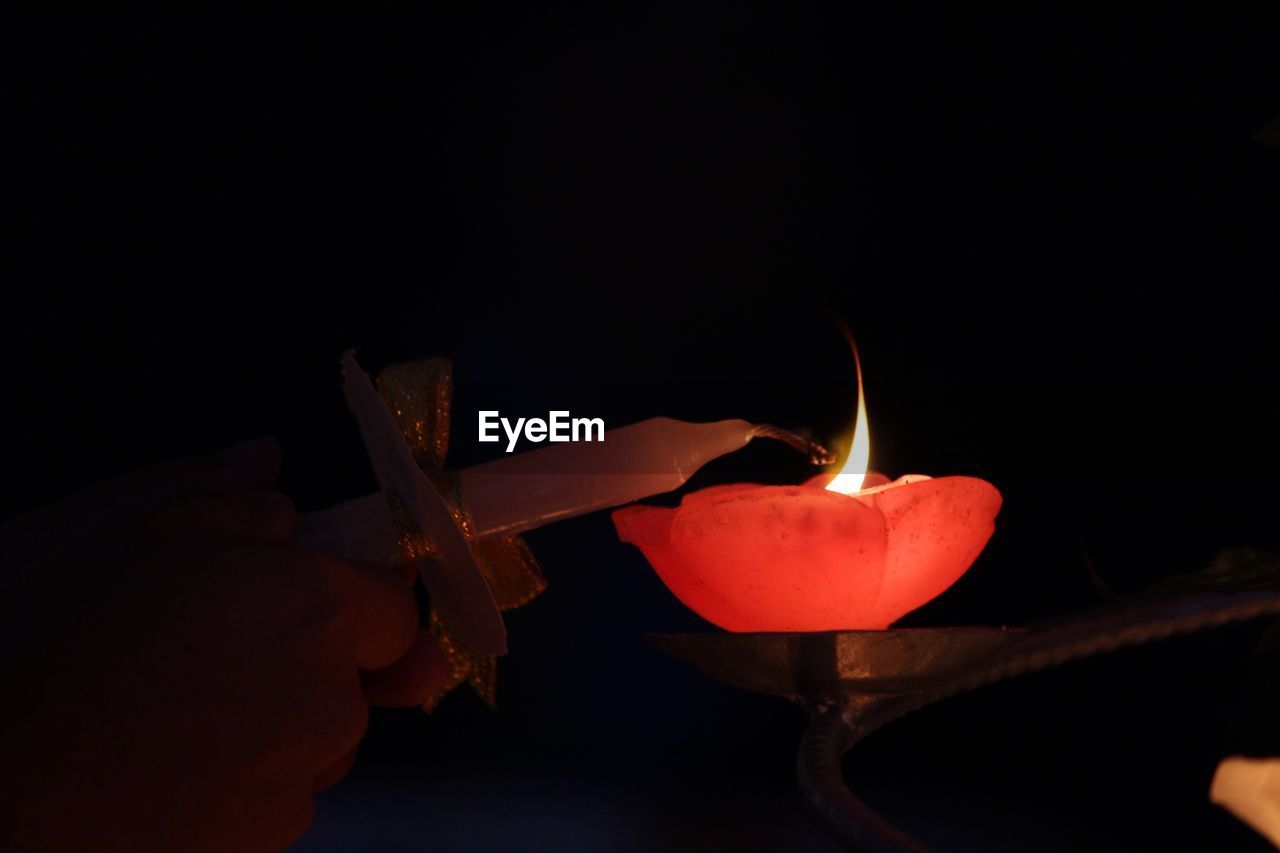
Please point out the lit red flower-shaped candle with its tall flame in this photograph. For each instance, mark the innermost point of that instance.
(838, 554)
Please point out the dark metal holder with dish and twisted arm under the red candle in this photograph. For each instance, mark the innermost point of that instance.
(853, 683)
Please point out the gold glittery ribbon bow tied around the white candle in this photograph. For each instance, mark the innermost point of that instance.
(420, 395)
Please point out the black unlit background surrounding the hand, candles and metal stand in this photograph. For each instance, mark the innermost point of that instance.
(1050, 230)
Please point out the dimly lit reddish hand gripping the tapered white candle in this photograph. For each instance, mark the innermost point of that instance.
(177, 674)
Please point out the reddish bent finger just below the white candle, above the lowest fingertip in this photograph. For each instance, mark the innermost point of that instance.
(381, 613)
